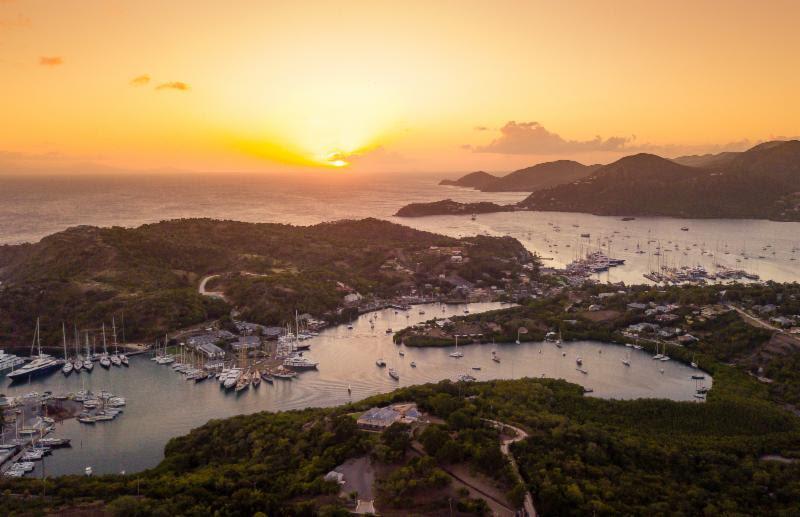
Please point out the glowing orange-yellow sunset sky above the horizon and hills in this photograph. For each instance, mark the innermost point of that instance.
(259, 86)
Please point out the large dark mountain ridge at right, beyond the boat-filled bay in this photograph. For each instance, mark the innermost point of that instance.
(763, 182)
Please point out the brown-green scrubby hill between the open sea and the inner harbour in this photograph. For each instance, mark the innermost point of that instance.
(151, 273)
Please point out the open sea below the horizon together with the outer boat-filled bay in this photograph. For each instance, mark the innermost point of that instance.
(32, 208)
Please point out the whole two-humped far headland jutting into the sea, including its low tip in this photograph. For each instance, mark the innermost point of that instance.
(529, 179)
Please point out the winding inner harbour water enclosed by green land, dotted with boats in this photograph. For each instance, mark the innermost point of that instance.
(162, 405)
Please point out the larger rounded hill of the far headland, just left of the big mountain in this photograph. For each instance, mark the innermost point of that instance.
(543, 175)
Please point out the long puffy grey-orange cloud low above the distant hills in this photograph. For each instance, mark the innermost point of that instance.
(533, 138)
